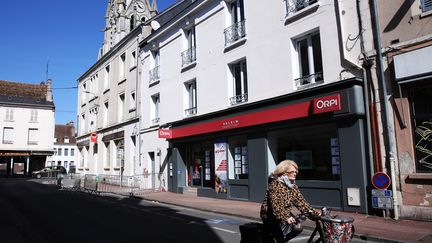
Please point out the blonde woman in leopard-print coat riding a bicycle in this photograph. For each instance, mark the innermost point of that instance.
(281, 195)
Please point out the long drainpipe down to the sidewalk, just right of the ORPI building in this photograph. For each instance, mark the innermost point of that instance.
(390, 140)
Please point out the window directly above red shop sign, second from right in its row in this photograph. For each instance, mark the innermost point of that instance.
(239, 74)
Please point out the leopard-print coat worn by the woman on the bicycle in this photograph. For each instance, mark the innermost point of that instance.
(281, 198)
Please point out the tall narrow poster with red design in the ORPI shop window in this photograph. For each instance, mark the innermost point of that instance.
(221, 167)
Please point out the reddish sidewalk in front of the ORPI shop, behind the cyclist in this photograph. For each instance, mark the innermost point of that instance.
(371, 228)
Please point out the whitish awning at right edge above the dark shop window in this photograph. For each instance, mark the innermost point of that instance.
(413, 66)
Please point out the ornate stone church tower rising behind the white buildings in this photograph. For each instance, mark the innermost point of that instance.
(121, 17)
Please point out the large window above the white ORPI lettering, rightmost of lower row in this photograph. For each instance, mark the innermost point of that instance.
(309, 59)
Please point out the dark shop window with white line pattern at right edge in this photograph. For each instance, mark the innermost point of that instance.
(422, 122)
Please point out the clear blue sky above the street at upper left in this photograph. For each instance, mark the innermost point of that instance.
(63, 33)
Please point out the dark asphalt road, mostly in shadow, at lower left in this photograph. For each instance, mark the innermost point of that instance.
(40, 213)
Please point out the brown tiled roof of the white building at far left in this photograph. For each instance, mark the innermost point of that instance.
(24, 93)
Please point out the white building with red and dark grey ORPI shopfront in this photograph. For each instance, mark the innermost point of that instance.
(230, 88)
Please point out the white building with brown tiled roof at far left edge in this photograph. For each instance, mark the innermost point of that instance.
(27, 127)
